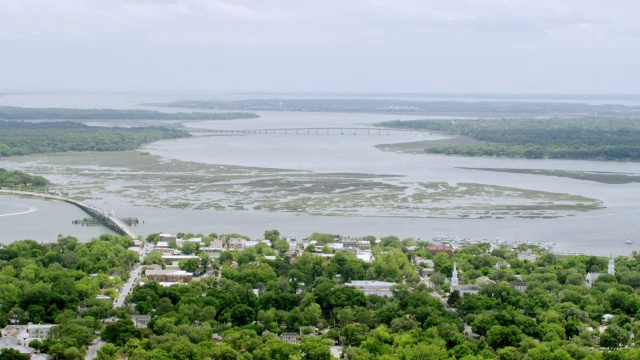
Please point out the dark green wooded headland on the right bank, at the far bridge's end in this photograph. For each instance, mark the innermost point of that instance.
(583, 138)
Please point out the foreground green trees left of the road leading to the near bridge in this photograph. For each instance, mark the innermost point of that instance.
(52, 283)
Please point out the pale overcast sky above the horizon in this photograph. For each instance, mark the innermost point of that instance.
(449, 46)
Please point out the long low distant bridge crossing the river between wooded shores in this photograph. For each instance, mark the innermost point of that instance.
(312, 131)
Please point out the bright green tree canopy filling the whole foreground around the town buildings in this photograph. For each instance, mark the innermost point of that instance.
(555, 317)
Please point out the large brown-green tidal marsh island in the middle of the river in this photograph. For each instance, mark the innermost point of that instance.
(142, 179)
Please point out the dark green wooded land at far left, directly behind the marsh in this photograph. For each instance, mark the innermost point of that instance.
(23, 138)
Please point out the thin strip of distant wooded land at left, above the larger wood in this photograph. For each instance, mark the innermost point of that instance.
(18, 113)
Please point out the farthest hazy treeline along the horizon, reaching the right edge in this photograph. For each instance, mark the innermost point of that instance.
(408, 106)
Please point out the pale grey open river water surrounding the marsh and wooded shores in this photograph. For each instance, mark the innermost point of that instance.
(598, 232)
